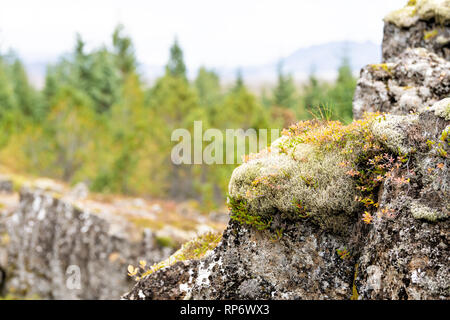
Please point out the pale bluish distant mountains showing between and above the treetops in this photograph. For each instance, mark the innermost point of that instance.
(323, 59)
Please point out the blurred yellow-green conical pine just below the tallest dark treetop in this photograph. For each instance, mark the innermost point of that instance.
(127, 123)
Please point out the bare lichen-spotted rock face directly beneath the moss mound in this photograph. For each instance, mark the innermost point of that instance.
(302, 264)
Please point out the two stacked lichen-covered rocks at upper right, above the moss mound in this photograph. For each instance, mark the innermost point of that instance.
(416, 53)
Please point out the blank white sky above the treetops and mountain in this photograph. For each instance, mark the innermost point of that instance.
(224, 33)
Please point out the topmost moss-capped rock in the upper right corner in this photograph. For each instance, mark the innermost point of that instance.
(420, 24)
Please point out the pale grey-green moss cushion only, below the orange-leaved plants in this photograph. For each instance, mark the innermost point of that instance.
(279, 182)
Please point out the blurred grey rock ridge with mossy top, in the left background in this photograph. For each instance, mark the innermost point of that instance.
(61, 242)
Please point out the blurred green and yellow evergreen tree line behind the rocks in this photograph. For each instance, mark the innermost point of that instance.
(96, 121)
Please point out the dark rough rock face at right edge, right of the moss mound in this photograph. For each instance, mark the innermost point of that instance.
(411, 249)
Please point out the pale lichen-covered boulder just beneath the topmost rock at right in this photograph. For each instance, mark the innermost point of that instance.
(411, 82)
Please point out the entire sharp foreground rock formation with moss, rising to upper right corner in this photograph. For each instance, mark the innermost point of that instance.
(341, 212)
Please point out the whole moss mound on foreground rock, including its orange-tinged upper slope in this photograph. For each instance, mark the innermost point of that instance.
(303, 175)
